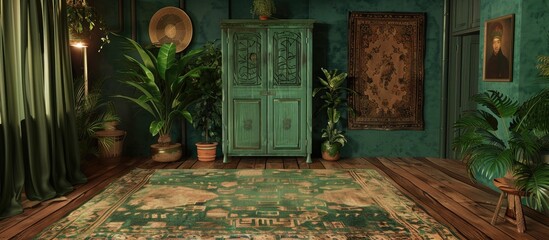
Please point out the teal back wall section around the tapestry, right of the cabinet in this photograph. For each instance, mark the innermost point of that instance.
(332, 53)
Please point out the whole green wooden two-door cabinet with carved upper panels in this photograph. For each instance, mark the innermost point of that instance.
(267, 84)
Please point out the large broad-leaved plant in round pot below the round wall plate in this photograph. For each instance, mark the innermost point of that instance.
(165, 91)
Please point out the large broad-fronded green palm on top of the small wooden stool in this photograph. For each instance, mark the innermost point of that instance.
(506, 137)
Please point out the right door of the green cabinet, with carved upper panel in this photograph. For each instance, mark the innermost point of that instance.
(287, 108)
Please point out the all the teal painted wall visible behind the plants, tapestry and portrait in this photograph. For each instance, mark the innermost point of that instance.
(330, 51)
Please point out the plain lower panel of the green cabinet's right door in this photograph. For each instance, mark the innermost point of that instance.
(287, 124)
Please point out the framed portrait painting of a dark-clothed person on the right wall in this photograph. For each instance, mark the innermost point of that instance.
(498, 49)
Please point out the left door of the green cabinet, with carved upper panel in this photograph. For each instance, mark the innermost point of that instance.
(246, 93)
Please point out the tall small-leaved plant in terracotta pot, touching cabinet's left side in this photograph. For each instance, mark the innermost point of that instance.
(206, 110)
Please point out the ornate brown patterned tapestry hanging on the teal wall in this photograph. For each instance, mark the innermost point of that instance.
(386, 52)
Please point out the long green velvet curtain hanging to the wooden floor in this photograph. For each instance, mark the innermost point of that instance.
(38, 142)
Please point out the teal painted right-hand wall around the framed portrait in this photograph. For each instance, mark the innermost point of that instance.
(531, 39)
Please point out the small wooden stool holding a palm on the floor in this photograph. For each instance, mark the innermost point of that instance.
(513, 212)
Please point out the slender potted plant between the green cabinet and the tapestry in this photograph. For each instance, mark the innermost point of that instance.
(333, 97)
